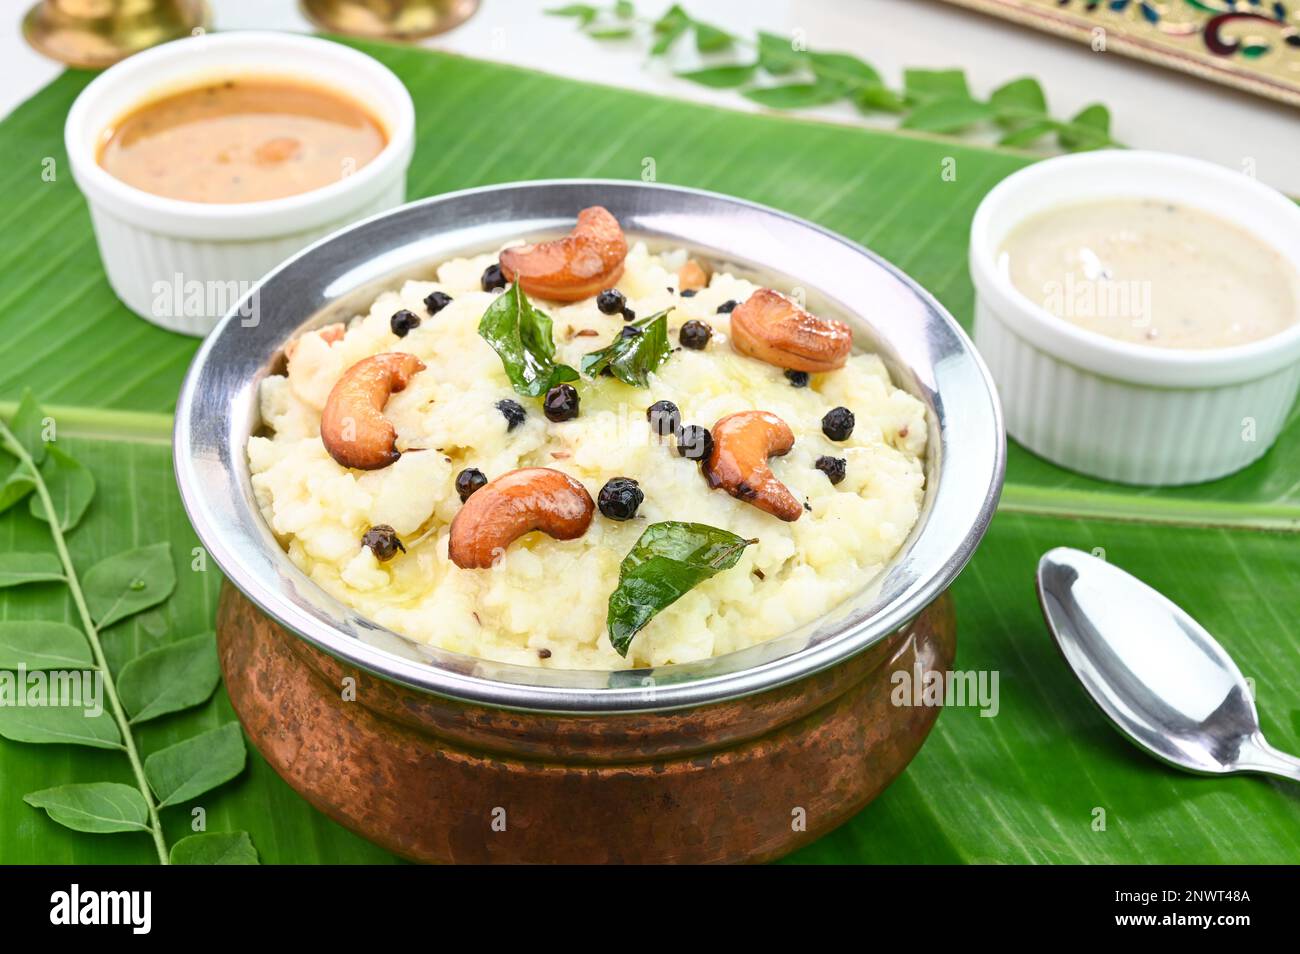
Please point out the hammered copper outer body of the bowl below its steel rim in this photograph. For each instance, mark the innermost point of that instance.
(440, 780)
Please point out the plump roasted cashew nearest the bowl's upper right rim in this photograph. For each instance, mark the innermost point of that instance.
(774, 329)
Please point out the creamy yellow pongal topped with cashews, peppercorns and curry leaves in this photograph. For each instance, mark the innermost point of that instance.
(640, 462)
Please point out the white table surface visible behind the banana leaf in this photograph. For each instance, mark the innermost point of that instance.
(1152, 109)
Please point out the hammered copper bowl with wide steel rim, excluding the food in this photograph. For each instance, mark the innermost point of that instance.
(448, 758)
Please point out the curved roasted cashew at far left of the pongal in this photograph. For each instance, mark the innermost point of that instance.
(353, 426)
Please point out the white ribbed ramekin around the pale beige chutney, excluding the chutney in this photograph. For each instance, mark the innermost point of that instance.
(1116, 410)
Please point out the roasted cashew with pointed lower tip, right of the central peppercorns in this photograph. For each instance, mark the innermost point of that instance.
(743, 443)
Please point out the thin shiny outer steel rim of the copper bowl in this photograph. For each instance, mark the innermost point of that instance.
(605, 700)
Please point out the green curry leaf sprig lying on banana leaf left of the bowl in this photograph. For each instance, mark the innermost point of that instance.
(38, 656)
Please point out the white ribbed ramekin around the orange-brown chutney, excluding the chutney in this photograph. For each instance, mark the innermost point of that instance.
(166, 257)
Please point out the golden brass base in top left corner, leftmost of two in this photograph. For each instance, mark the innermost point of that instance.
(93, 34)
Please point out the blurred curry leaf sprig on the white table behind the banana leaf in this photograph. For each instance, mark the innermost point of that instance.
(782, 75)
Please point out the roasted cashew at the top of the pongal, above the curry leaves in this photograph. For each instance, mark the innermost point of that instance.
(579, 266)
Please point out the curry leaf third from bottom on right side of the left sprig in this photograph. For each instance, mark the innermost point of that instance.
(170, 679)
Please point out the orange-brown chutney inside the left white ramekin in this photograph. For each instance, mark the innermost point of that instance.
(241, 140)
